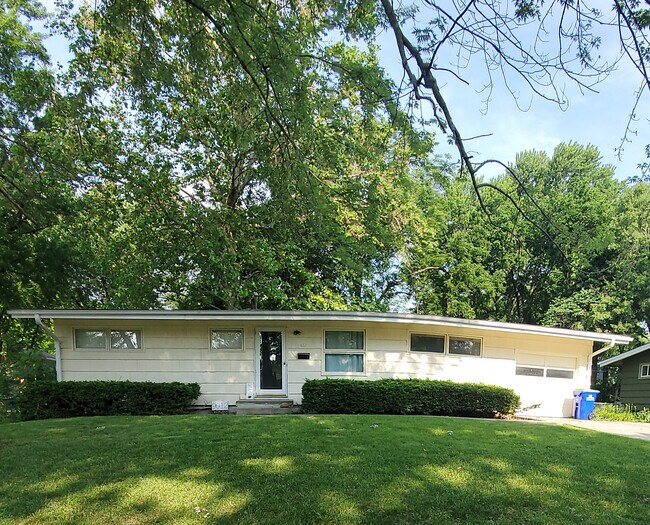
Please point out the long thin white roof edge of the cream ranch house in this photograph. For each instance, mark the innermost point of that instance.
(298, 315)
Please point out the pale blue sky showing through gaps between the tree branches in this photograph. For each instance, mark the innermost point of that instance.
(590, 118)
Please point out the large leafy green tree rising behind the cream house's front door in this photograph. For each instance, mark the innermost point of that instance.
(285, 185)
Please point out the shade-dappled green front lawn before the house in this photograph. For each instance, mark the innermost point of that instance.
(318, 469)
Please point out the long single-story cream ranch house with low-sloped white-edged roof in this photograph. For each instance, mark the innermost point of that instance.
(236, 355)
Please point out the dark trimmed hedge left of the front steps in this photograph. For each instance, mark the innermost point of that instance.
(48, 399)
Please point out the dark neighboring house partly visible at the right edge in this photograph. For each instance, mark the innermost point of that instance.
(635, 375)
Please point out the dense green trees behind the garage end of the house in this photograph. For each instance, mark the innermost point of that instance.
(467, 267)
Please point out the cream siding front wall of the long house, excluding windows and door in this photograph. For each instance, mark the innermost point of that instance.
(181, 351)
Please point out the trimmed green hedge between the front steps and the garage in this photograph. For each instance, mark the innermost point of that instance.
(407, 396)
